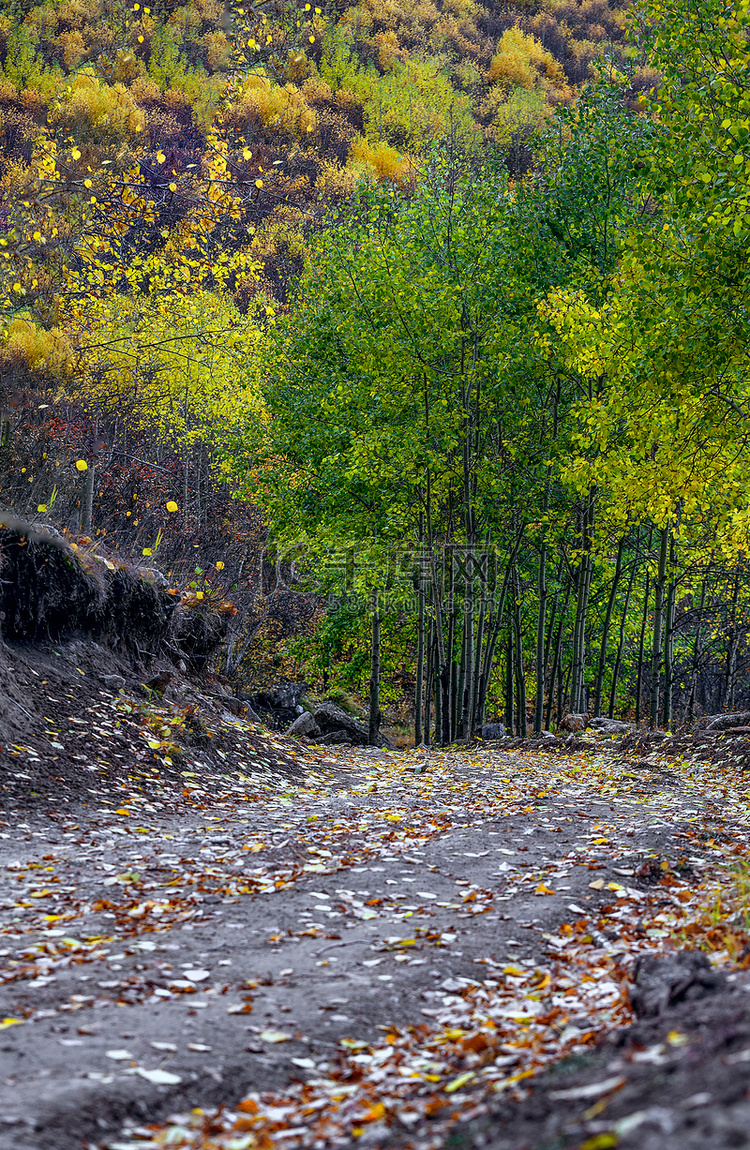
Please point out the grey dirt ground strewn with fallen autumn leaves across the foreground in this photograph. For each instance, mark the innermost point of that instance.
(183, 965)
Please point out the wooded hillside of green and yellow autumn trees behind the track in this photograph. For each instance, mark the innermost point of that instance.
(462, 313)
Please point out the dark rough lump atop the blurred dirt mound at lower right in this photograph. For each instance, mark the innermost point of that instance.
(662, 982)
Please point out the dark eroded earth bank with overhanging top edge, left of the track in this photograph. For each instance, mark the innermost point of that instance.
(103, 669)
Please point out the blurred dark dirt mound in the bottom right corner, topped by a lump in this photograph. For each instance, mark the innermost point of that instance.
(677, 1080)
